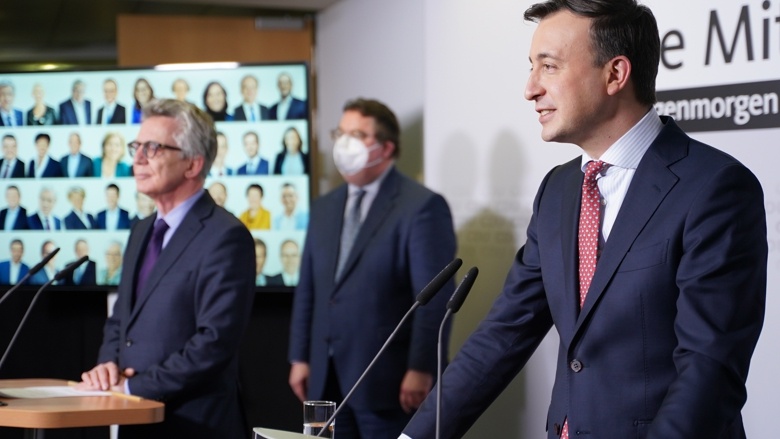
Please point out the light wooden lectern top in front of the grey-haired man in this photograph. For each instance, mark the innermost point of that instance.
(80, 411)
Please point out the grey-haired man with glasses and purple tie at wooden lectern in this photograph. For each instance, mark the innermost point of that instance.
(186, 289)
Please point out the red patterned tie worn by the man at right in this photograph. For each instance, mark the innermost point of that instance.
(588, 237)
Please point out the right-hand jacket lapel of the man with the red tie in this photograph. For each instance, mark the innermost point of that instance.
(650, 185)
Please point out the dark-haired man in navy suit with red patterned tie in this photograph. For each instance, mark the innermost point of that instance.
(648, 254)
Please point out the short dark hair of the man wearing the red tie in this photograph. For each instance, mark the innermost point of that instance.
(619, 27)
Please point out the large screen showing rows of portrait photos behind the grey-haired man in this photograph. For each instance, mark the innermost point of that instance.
(66, 173)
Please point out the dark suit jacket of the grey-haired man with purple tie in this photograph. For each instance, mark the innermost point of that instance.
(201, 288)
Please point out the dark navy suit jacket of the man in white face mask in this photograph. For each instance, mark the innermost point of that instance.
(405, 240)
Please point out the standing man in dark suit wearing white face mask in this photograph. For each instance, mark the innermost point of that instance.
(372, 245)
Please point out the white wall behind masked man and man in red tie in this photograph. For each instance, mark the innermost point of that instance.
(460, 67)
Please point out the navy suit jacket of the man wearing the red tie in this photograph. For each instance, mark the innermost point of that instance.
(662, 345)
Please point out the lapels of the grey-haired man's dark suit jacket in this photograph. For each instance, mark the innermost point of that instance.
(181, 239)
